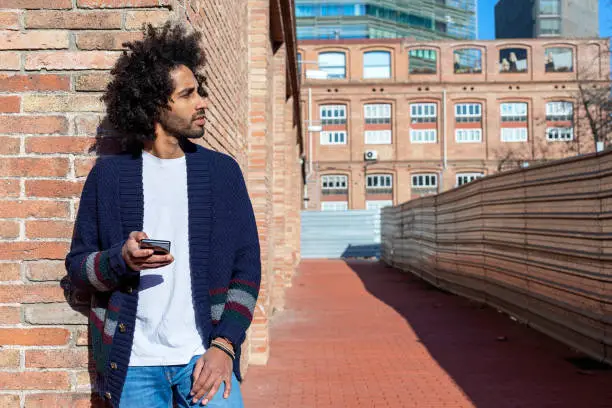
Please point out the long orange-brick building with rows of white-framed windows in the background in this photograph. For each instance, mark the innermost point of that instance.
(396, 119)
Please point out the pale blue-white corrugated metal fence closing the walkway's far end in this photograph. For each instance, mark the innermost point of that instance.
(340, 234)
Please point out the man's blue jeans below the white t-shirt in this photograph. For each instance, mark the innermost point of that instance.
(159, 386)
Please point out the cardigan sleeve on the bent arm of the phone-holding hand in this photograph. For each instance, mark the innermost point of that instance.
(89, 267)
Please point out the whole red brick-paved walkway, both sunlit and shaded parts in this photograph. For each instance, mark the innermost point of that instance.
(359, 334)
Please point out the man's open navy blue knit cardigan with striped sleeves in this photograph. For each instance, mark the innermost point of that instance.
(223, 246)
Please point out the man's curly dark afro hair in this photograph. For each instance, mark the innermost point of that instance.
(141, 85)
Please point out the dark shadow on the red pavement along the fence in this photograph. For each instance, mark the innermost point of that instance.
(496, 361)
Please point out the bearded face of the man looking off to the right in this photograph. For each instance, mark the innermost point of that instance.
(186, 116)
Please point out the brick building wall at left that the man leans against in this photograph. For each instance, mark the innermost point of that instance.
(54, 61)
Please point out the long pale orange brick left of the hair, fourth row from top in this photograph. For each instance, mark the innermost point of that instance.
(67, 60)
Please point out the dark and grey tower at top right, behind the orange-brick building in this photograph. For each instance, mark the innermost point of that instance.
(546, 18)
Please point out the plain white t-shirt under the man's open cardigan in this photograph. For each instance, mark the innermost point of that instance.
(165, 331)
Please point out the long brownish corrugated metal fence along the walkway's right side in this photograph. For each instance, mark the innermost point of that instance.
(536, 243)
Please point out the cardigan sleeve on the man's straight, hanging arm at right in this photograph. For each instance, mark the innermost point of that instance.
(243, 288)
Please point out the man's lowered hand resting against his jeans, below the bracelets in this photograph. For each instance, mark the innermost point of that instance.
(212, 369)
